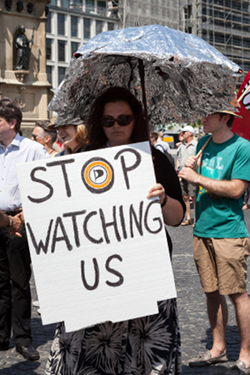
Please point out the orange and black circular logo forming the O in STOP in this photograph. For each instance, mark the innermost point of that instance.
(98, 175)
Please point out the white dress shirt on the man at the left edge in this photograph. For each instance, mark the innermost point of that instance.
(19, 151)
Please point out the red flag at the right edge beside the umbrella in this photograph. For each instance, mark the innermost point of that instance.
(242, 126)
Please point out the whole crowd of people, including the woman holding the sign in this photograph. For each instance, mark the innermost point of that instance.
(214, 173)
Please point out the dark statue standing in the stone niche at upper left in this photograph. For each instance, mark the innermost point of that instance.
(22, 45)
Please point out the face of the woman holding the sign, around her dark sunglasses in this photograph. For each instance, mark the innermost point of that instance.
(118, 135)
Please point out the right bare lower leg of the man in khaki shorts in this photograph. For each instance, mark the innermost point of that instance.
(241, 303)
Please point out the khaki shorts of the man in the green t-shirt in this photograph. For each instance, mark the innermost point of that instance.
(221, 264)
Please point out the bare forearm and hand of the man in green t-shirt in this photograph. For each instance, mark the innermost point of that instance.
(230, 189)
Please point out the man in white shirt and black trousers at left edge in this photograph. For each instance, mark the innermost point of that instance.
(15, 272)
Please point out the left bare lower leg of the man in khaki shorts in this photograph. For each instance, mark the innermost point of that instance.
(218, 317)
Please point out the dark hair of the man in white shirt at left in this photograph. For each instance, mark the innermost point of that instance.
(10, 110)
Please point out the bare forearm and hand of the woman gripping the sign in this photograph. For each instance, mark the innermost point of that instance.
(172, 210)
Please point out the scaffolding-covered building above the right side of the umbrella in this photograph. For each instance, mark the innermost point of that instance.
(225, 24)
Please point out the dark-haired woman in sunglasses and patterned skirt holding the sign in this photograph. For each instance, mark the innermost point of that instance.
(142, 346)
